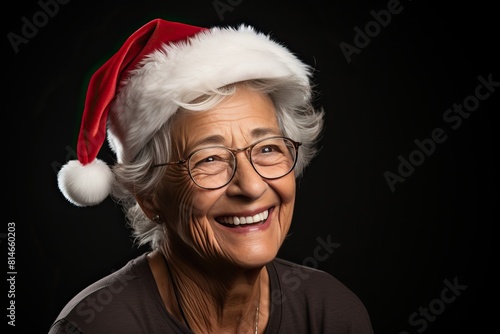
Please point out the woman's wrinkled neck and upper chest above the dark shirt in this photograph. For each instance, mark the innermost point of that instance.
(212, 299)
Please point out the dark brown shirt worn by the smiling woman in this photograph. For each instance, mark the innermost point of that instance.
(303, 300)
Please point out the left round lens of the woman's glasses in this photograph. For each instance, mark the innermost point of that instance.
(211, 167)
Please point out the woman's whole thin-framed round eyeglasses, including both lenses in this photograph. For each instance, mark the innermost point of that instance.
(214, 167)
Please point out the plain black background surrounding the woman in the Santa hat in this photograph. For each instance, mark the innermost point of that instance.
(396, 248)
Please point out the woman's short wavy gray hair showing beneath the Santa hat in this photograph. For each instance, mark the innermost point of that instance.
(297, 117)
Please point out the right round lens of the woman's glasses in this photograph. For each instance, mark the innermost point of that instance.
(274, 157)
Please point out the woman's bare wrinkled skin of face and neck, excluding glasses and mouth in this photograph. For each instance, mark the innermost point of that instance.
(221, 269)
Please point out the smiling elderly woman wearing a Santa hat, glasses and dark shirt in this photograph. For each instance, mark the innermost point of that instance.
(211, 128)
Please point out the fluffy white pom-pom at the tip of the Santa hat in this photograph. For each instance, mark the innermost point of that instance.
(85, 185)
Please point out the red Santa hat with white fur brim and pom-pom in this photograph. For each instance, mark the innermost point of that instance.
(138, 89)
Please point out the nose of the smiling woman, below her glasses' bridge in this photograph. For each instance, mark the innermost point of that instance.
(246, 181)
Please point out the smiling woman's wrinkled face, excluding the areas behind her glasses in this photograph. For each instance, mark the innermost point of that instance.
(200, 216)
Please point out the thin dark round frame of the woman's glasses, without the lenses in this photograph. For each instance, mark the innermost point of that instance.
(234, 151)
